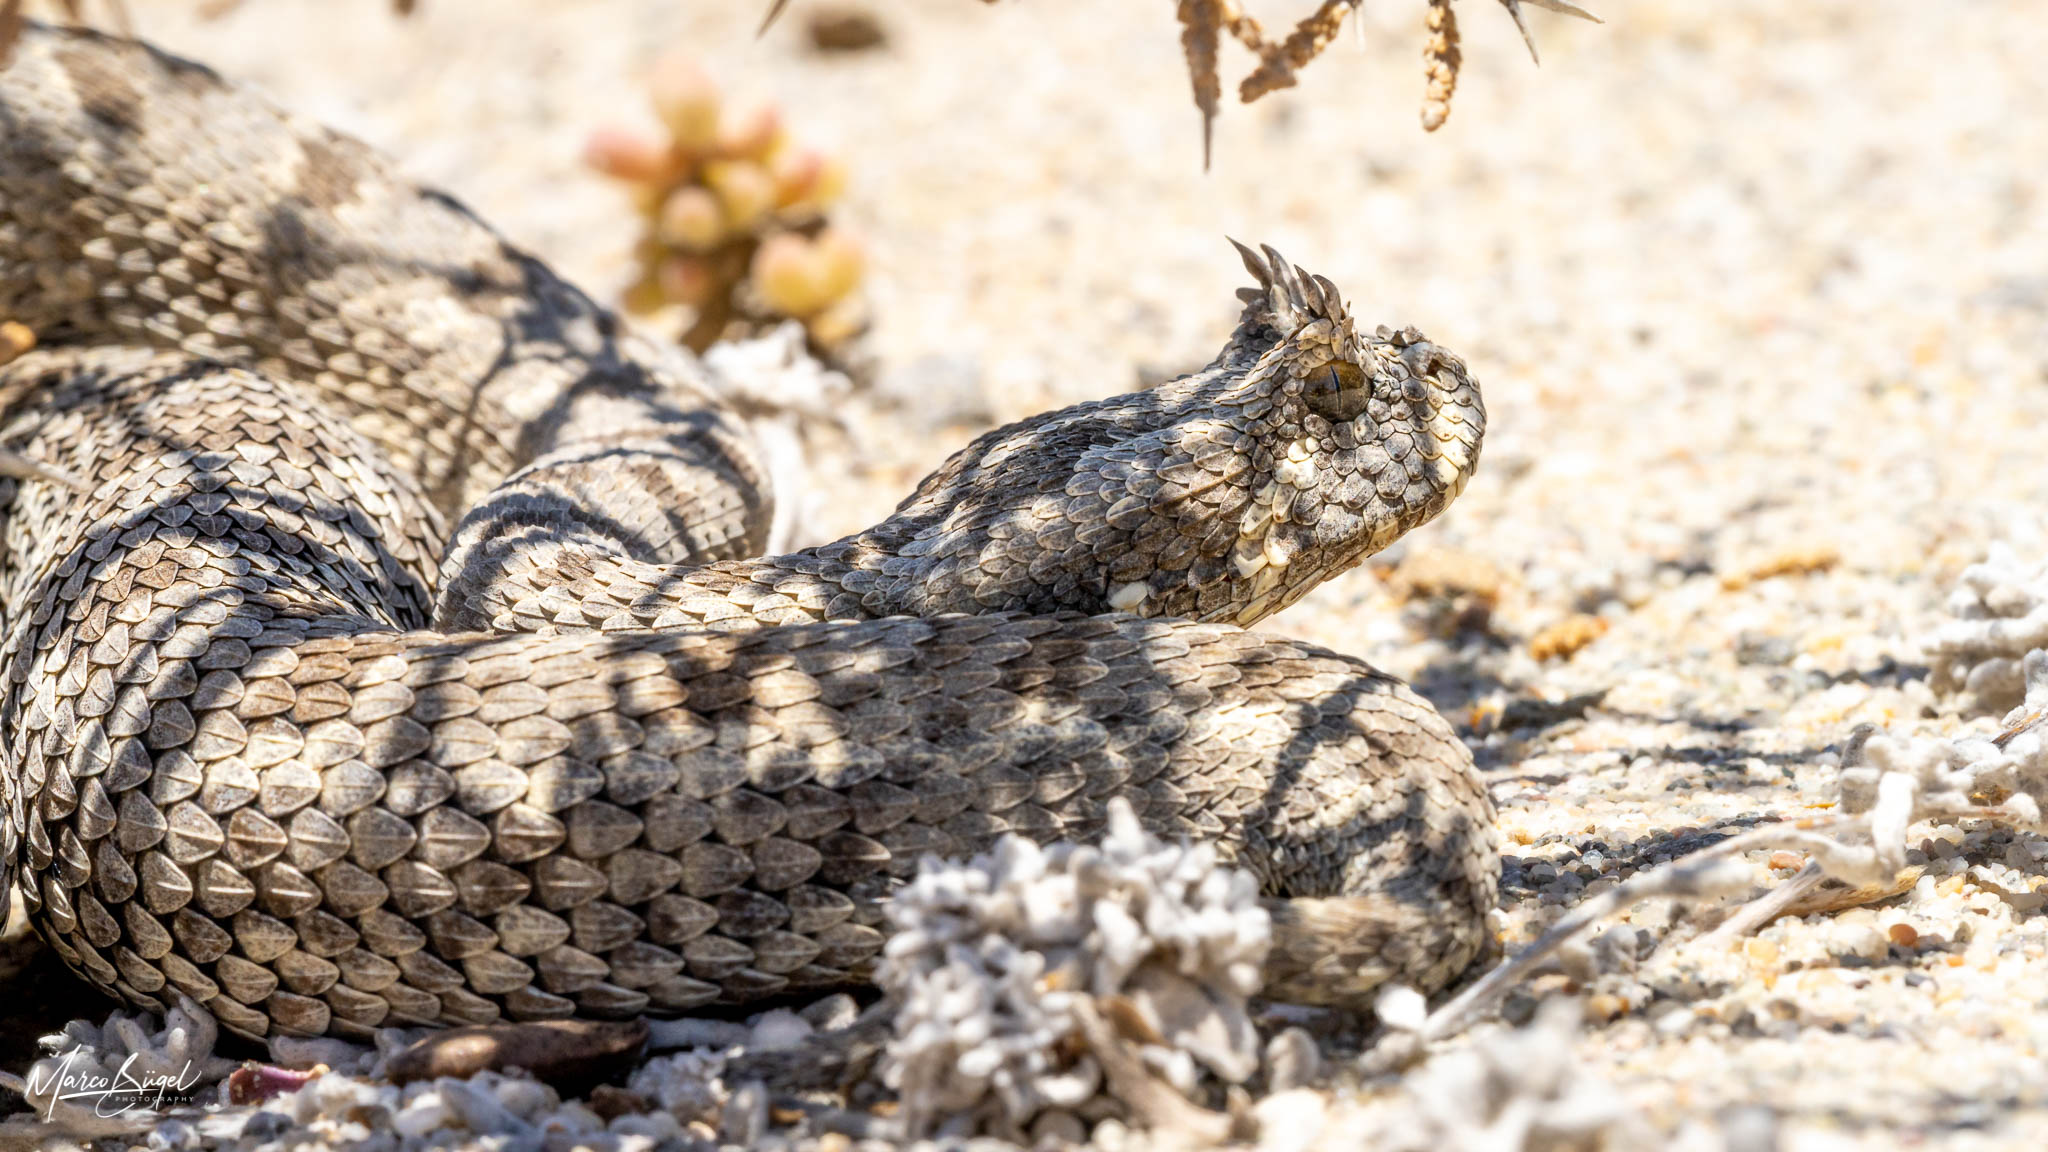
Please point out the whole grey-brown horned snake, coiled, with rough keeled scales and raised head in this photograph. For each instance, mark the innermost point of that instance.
(284, 739)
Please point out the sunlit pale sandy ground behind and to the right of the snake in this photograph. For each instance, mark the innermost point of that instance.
(1760, 300)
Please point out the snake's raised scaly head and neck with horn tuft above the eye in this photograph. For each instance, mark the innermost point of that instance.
(1226, 495)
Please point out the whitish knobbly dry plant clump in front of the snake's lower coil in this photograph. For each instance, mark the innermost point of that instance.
(1029, 981)
